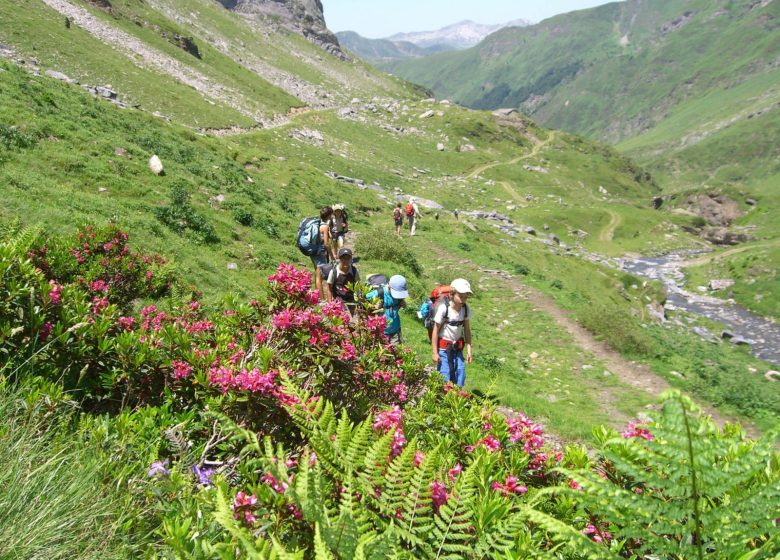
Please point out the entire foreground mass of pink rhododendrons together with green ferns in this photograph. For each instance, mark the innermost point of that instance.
(279, 427)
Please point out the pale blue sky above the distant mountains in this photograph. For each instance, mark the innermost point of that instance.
(382, 18)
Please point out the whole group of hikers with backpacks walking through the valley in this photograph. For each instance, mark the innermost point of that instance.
(445, 313)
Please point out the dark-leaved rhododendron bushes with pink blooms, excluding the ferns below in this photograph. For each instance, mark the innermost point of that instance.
(83, 328)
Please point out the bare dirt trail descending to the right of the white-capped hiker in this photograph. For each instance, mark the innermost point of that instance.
(631, 373)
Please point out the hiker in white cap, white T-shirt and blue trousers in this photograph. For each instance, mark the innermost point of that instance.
(451, 333)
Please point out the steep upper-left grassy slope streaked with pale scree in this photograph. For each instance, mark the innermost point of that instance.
(241, 78)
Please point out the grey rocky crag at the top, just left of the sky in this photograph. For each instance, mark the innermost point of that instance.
(300, 16)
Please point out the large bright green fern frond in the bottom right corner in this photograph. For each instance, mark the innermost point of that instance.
(691, 492)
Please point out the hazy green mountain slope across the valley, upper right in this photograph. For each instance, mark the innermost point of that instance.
(657, 78)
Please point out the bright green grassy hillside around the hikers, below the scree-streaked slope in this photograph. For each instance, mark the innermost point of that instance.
(69, 159)
